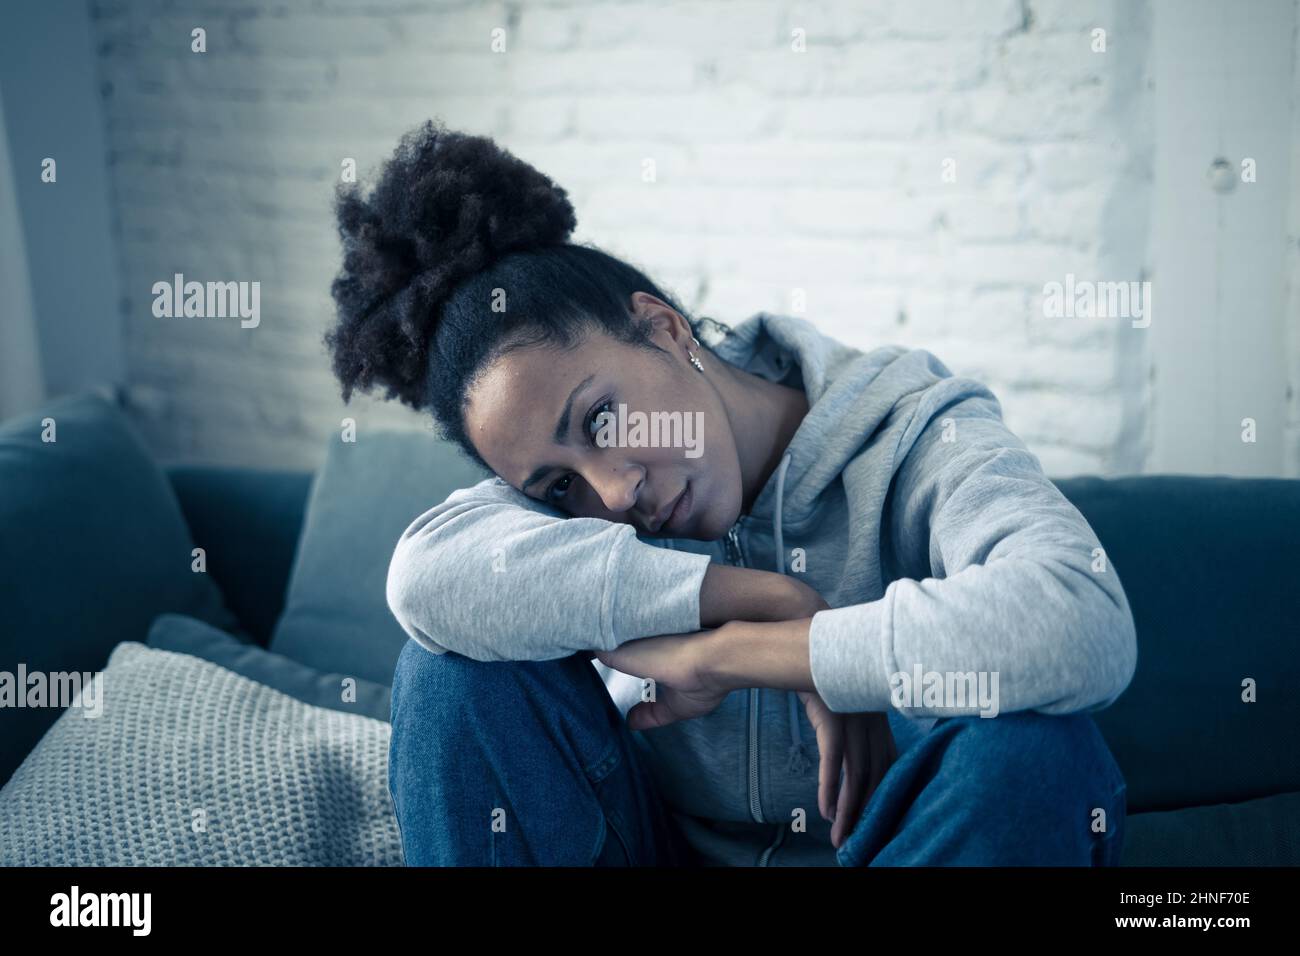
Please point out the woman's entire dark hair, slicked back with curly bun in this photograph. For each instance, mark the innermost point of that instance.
(456, 228)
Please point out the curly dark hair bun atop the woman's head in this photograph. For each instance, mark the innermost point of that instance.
(447, 205)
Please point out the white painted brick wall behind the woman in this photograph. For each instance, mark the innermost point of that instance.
(777, 172)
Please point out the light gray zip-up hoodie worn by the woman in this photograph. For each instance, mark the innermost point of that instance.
(903, 499)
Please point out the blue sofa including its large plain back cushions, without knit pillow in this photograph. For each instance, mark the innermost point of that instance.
(98, 547)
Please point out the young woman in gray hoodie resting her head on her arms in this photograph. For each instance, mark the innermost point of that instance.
(840, 615)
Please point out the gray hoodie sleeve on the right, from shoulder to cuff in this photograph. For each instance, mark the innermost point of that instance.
(999, 573)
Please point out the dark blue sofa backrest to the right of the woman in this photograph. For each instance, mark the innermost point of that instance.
(1204, 565)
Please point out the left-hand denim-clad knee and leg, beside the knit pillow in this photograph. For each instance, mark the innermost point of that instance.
(519, 764)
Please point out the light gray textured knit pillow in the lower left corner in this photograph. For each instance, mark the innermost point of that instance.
(190, 764)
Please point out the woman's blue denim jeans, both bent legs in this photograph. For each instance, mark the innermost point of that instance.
(531, 764)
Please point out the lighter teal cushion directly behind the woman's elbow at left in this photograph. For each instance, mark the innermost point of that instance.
(337, 616)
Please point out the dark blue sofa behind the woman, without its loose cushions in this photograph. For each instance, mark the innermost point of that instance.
(1210, 572)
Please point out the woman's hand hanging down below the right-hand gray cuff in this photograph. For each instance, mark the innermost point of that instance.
(859, 745)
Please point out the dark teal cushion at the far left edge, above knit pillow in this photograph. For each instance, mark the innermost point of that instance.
(94, 547)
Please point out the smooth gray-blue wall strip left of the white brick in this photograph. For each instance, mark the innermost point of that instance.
(53, 110)
